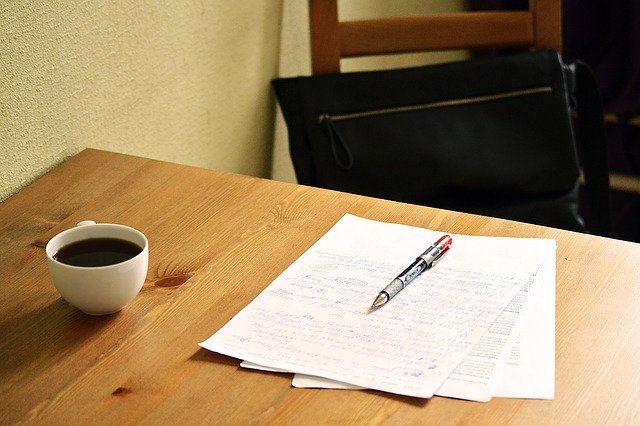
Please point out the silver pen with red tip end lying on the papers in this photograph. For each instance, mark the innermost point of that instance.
(422, 262)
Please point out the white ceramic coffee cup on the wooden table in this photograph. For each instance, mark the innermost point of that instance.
(99, 290)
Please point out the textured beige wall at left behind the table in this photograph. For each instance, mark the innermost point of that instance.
(183, 81)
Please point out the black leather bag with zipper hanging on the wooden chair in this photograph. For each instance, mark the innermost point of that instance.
(490, 136)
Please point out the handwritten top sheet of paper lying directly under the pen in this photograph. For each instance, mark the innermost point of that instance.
(315, 317)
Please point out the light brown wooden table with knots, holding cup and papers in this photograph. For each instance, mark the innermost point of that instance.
(217, 239)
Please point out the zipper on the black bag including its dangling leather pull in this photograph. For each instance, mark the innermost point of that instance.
(340, 150)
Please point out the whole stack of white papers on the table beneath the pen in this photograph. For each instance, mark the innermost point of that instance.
(481, 323)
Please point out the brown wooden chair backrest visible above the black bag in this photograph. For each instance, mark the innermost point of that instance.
(539, 28)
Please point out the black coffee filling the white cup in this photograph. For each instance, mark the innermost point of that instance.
(97, 252)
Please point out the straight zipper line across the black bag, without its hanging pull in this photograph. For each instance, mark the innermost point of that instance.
(436, 104)
